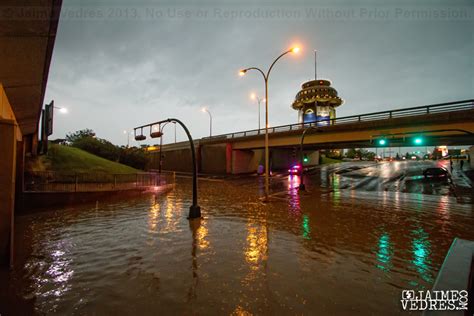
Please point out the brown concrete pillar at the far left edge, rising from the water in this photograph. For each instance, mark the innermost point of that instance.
(8, 139)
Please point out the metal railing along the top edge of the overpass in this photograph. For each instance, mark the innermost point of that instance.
(374, 116)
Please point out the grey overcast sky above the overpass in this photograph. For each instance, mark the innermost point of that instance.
(116, 66)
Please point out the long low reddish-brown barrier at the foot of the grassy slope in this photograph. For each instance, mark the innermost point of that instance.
(47, 181)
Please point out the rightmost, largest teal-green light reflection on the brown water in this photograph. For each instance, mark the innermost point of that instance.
(421, 250)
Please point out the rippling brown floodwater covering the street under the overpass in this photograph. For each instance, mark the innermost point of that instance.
(329, 251)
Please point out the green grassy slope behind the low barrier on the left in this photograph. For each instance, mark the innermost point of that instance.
(71, 159)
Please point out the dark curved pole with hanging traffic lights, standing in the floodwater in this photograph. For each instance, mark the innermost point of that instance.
(194, 209)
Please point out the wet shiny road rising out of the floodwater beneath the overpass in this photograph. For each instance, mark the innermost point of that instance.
(397, 176)
